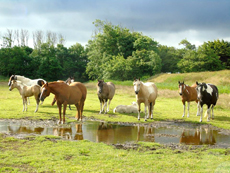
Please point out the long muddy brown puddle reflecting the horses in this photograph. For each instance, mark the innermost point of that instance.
(162, 132)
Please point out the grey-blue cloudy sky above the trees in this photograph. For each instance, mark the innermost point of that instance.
(166, 21)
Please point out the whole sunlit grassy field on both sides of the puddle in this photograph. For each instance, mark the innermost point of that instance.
(49, 154)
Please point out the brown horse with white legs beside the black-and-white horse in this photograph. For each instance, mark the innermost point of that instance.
(188, 94)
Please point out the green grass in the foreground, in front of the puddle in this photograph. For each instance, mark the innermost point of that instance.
(44, 154)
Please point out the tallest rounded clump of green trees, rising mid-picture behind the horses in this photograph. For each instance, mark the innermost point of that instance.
(116, 53)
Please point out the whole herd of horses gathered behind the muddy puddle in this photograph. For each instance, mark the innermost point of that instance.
(70, 92)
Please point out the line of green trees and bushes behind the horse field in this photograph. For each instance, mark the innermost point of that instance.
(113, 52)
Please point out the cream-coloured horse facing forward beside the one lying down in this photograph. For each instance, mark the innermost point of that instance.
(145, 93)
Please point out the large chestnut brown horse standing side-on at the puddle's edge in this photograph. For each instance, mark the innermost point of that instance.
(75, 93)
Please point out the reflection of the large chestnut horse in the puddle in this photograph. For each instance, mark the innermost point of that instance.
(67, 133)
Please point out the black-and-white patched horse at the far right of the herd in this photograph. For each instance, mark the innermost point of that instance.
(207, 94)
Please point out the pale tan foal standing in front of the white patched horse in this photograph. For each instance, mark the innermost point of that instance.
(26, 91)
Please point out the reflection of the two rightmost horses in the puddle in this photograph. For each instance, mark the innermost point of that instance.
(201, 136)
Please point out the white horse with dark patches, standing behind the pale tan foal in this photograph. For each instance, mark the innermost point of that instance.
(26, 81)
